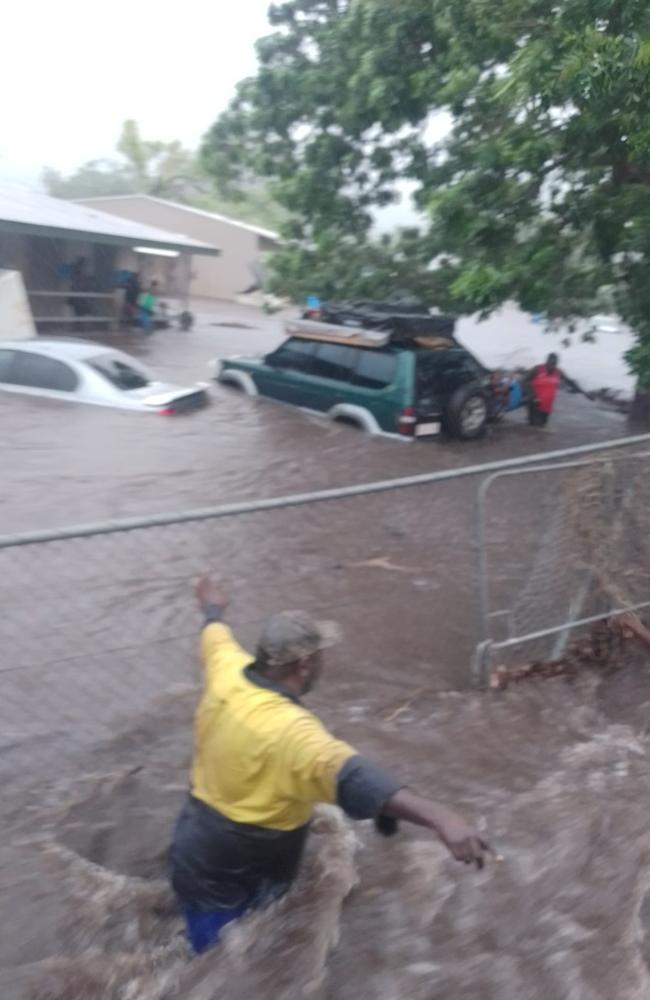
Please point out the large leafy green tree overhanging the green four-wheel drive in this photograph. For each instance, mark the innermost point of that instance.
(540, 189)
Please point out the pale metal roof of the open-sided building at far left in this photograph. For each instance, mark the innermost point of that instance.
(37, 214)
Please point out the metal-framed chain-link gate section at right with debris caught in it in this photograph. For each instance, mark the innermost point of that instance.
(560, 546)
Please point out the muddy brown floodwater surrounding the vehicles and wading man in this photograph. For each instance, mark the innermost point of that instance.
(99, 675)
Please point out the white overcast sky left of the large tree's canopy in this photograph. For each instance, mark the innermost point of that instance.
(71, 71)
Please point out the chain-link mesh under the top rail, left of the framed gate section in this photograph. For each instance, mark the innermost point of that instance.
(95, 629)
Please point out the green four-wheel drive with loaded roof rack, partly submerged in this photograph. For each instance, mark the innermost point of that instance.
(387, 373)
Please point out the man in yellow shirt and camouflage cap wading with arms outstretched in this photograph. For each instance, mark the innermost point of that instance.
(261, 763)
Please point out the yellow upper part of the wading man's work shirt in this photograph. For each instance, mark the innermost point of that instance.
(260, 758)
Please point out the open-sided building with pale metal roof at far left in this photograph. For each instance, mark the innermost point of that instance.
(48, 239)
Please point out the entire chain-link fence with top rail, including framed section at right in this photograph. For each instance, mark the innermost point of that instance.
(98, 622)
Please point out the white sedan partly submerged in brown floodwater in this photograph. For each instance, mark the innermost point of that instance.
(83, 372)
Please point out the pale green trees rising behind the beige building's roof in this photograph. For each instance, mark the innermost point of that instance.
(164, 170)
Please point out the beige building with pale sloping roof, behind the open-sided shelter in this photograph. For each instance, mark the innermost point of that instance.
(240, 267)
